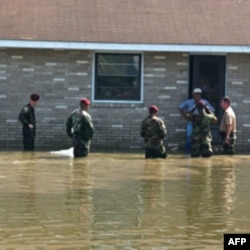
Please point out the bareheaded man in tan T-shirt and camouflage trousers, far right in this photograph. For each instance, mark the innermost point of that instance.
(228, 127)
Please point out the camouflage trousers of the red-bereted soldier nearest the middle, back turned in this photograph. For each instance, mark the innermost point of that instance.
(154, 148)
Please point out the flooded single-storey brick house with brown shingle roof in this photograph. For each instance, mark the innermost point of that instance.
(124, 56)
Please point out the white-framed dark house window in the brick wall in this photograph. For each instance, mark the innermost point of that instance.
(117, 77)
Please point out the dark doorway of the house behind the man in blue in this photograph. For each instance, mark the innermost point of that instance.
(208, 74)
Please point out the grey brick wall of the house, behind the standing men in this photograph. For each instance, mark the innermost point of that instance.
(63, 77)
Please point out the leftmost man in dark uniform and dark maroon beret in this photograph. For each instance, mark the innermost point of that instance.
(28, 119)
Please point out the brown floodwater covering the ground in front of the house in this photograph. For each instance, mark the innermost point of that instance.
(121, 201)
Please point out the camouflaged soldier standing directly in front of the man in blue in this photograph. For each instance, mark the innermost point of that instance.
(201, 137)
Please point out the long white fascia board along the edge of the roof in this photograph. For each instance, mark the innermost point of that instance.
(124, 47)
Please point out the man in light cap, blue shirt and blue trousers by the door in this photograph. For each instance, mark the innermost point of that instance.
(189, 106)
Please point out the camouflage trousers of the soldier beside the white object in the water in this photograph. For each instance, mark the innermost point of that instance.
(81, 146)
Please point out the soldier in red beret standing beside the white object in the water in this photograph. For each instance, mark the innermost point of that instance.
(79, 126)
